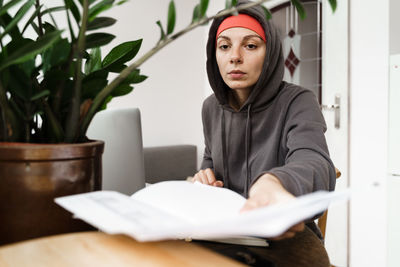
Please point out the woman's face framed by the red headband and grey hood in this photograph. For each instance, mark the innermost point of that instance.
(240, 54)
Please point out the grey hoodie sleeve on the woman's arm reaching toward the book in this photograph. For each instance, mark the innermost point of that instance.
(308, 166)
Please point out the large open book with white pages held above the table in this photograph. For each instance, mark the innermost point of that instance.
(181, 210)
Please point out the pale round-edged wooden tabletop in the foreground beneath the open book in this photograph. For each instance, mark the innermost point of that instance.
(99, 249)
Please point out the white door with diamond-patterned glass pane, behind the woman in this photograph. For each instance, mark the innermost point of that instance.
(316, 57)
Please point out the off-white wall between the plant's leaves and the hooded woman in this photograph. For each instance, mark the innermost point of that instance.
(170, 99)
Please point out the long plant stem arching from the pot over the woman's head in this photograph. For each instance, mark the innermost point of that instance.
(99, 99)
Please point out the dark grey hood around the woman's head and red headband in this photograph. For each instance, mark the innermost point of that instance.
(271, 75)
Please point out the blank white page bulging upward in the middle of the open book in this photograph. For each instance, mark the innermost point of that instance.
(195, 203)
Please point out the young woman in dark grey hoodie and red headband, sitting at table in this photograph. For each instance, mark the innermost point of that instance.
(264, 138)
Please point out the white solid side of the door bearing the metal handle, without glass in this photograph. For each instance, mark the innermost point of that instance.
(335, 89)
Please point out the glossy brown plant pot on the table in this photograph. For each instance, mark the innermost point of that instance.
(32, 175)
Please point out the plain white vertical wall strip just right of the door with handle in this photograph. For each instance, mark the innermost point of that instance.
(369, 51)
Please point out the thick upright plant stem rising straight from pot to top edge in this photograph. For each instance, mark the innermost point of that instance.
(72, 124)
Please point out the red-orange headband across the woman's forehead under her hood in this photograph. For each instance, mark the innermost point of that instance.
(243, 21)
